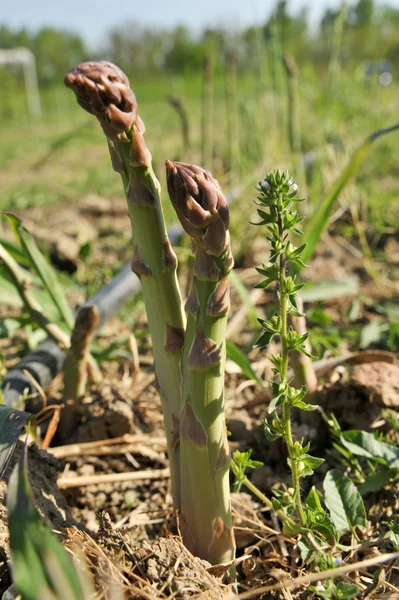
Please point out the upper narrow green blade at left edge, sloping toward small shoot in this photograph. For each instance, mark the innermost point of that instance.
(42, 268)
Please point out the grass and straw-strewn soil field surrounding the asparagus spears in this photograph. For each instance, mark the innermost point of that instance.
(55, 175)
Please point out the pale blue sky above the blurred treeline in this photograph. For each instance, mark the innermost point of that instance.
(93, 18)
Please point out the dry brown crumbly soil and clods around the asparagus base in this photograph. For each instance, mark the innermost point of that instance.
(125, 534)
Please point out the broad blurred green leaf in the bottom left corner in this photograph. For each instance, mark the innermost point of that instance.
(41, 566)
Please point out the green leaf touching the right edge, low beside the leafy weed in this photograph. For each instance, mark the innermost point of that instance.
(365, 444)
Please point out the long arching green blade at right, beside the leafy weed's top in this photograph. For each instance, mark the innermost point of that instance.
(320, 219)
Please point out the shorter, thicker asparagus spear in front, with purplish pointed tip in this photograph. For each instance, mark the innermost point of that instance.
(205, 495)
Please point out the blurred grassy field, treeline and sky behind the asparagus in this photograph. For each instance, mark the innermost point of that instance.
(238, 87)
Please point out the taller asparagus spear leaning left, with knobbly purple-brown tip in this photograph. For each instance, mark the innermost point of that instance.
(103, 90)
